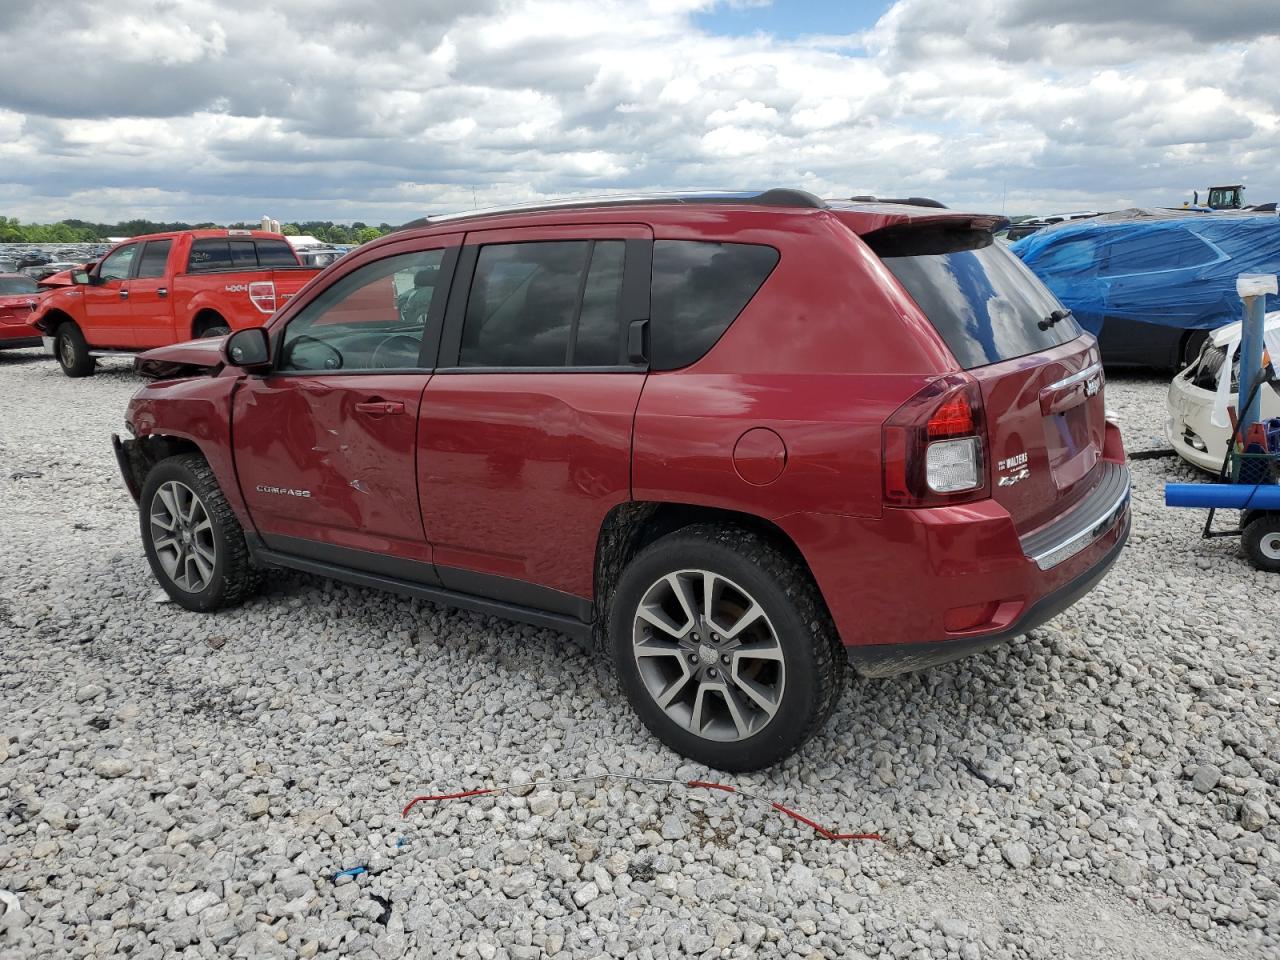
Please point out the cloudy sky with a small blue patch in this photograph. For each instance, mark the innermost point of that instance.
(344, 109)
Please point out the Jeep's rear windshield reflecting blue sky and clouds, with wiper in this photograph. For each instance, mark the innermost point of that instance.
(982, 300)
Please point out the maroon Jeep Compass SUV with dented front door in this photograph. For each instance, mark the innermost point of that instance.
(743, 440)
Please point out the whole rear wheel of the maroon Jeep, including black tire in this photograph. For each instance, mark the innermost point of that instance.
(725, 648)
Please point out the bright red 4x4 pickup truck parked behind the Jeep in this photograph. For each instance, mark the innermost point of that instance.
(167, 289)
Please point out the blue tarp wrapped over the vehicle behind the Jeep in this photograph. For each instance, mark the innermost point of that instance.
(1158, 268)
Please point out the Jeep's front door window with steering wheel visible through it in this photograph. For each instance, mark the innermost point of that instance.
(372, 319)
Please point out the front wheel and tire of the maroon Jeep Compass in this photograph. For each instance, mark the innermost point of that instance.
(194, 543)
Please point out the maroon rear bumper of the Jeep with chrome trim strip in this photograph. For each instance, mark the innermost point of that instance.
(922, 587)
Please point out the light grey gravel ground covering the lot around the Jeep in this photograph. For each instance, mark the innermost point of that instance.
(186, 785)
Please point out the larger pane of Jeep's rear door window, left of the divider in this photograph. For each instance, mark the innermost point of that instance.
(523, 303)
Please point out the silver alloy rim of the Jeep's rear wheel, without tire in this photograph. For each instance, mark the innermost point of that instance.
(708, 656)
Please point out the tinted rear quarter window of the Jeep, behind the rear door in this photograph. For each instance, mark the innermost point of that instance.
(698, 291)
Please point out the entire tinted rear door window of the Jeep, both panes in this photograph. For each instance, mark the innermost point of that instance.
(551, 304)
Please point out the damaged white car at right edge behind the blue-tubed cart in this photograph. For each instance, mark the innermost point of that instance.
(1191, 429)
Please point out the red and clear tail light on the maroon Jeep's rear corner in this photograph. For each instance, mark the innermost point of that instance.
(935, 446)
